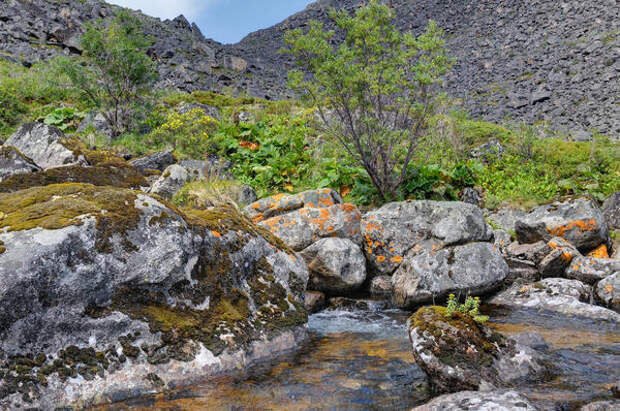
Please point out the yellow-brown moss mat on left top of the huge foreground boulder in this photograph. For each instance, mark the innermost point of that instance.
(60, 205)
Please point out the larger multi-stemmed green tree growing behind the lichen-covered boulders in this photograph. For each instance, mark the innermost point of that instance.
(374, 90)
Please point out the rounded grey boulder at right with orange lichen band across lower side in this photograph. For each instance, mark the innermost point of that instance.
(578, 221)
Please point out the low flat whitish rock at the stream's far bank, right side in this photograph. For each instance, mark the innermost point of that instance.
(561, 295)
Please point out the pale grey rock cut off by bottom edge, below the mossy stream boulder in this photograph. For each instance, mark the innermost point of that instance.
(496, 400)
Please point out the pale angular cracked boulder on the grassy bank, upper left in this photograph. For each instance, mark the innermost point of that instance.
(45, 145)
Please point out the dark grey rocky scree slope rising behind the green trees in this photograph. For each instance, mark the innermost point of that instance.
(515, 59)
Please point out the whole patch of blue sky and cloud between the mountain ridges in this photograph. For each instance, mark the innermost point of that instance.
(226, 21)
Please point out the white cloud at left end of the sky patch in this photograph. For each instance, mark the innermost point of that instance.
(167, 9)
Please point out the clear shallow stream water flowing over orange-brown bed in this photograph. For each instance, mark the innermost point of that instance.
(361, 359)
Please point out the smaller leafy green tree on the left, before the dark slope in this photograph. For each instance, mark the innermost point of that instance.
(115, 73)
